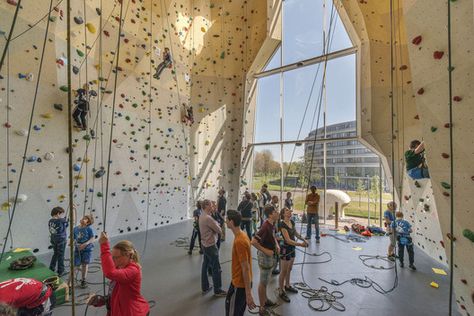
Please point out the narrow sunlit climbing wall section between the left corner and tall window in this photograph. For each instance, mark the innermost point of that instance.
(233, 34)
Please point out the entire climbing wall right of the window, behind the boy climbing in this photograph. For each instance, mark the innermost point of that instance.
(420, 111)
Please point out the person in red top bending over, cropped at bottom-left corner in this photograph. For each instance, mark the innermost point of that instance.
(29, 296)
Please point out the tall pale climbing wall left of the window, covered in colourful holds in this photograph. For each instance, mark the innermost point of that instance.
(150, 145)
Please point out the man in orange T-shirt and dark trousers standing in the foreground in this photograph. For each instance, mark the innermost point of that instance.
(240, 290)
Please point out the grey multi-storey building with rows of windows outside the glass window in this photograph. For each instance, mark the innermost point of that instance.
(347, 161)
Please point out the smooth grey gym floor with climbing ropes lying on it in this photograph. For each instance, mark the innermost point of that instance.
(172, 279)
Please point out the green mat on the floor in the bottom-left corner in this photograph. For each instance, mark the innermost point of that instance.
(38, 271)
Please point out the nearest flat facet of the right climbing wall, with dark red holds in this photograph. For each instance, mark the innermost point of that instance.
(428, 53)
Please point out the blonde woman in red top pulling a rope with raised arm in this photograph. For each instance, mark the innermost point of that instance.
(122, 268)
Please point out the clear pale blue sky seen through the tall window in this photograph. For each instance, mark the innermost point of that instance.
(303, 39)
